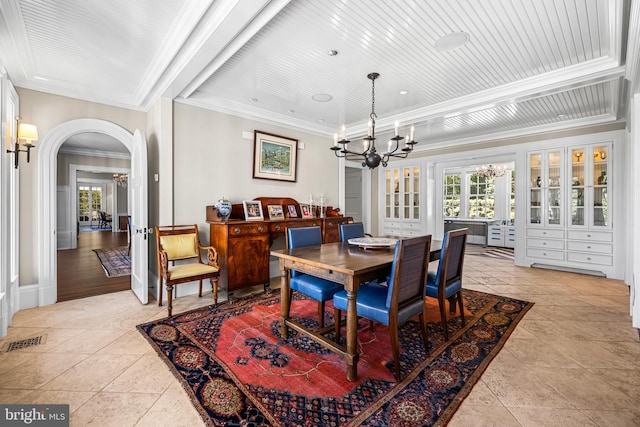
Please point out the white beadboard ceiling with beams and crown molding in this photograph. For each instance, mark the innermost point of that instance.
(528, 66)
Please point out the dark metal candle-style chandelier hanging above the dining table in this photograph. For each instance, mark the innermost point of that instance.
(370, 155)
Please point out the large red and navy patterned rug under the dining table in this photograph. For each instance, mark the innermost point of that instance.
(238, 371)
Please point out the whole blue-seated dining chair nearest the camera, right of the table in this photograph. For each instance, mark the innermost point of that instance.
(401, 299)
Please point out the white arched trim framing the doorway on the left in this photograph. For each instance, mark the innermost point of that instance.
(47, 168)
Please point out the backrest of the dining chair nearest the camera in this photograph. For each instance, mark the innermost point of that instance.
(408, 272)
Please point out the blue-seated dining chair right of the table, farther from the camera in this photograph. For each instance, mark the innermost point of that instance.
(446, 283)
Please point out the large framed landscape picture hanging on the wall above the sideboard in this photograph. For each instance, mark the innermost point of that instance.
(275, 157)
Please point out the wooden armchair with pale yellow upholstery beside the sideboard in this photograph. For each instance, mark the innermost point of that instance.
(181, 243)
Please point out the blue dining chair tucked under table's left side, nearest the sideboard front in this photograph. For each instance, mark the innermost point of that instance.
(314, 287)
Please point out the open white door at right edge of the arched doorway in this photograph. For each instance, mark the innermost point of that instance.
(139, 219)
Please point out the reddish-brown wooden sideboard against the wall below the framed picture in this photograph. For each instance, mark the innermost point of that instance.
(244, 246)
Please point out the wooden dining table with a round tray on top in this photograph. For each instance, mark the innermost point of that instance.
(349, 265)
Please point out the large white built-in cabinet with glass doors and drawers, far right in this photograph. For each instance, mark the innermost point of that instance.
(570, 206)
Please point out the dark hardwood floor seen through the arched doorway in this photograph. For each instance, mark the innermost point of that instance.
(80, 274)
